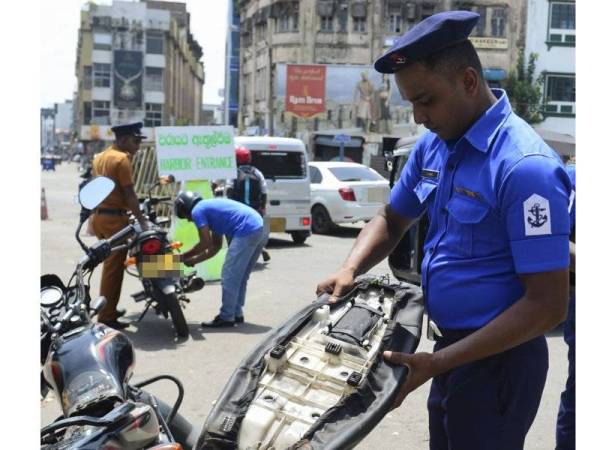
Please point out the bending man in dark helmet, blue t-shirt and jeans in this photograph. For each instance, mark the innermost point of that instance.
(214, 219)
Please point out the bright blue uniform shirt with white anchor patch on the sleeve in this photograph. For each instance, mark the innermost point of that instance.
(497, 201)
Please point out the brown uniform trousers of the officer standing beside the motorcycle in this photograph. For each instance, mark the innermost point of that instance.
(113, 267)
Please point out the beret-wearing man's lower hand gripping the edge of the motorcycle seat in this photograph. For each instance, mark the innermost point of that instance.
(420, 370)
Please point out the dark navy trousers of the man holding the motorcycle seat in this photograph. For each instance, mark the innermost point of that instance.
(488, 404)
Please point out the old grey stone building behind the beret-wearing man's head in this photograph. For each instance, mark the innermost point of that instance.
(347, 36)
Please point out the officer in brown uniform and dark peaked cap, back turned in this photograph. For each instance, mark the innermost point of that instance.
(112, 214)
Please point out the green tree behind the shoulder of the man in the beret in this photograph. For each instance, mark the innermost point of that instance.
(523, 90)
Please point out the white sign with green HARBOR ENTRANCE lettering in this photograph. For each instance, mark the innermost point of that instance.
(196, 153)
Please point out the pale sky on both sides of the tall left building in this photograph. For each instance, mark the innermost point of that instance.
(58, 45)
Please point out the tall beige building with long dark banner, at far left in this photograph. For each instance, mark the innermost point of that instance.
(136, 61)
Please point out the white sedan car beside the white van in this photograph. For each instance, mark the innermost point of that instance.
(344, 192)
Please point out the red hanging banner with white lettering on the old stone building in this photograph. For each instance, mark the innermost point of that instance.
(305, 90)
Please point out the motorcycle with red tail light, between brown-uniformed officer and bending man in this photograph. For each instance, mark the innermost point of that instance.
(166, 294)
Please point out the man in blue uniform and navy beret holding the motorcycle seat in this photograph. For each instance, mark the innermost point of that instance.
(495, 271)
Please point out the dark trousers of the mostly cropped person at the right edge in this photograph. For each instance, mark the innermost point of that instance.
(565, 425)
